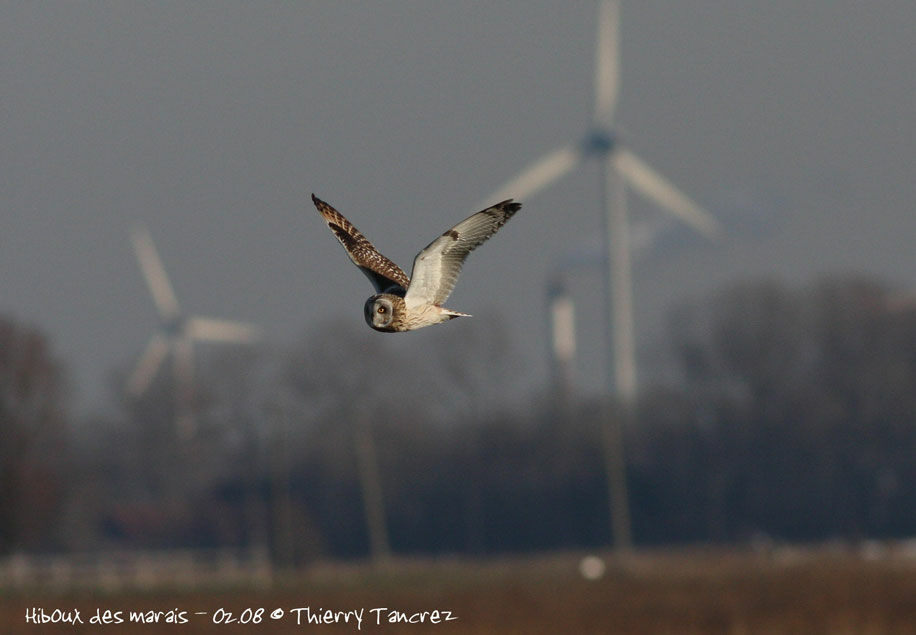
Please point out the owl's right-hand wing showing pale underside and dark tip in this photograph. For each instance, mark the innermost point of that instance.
(436, 268)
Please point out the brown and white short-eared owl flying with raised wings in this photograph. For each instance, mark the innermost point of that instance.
(402, 303)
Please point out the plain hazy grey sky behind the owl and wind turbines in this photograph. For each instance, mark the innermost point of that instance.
(212, 122)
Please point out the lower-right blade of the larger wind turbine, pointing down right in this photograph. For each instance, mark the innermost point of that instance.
(654, 186)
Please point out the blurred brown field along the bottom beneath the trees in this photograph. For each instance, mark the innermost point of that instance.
(803, 591)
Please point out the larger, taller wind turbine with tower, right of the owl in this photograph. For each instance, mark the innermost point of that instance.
(620, 168)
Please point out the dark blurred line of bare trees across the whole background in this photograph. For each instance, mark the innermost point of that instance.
(793, 416)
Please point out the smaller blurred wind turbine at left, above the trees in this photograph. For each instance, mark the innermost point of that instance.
(176, 333)
